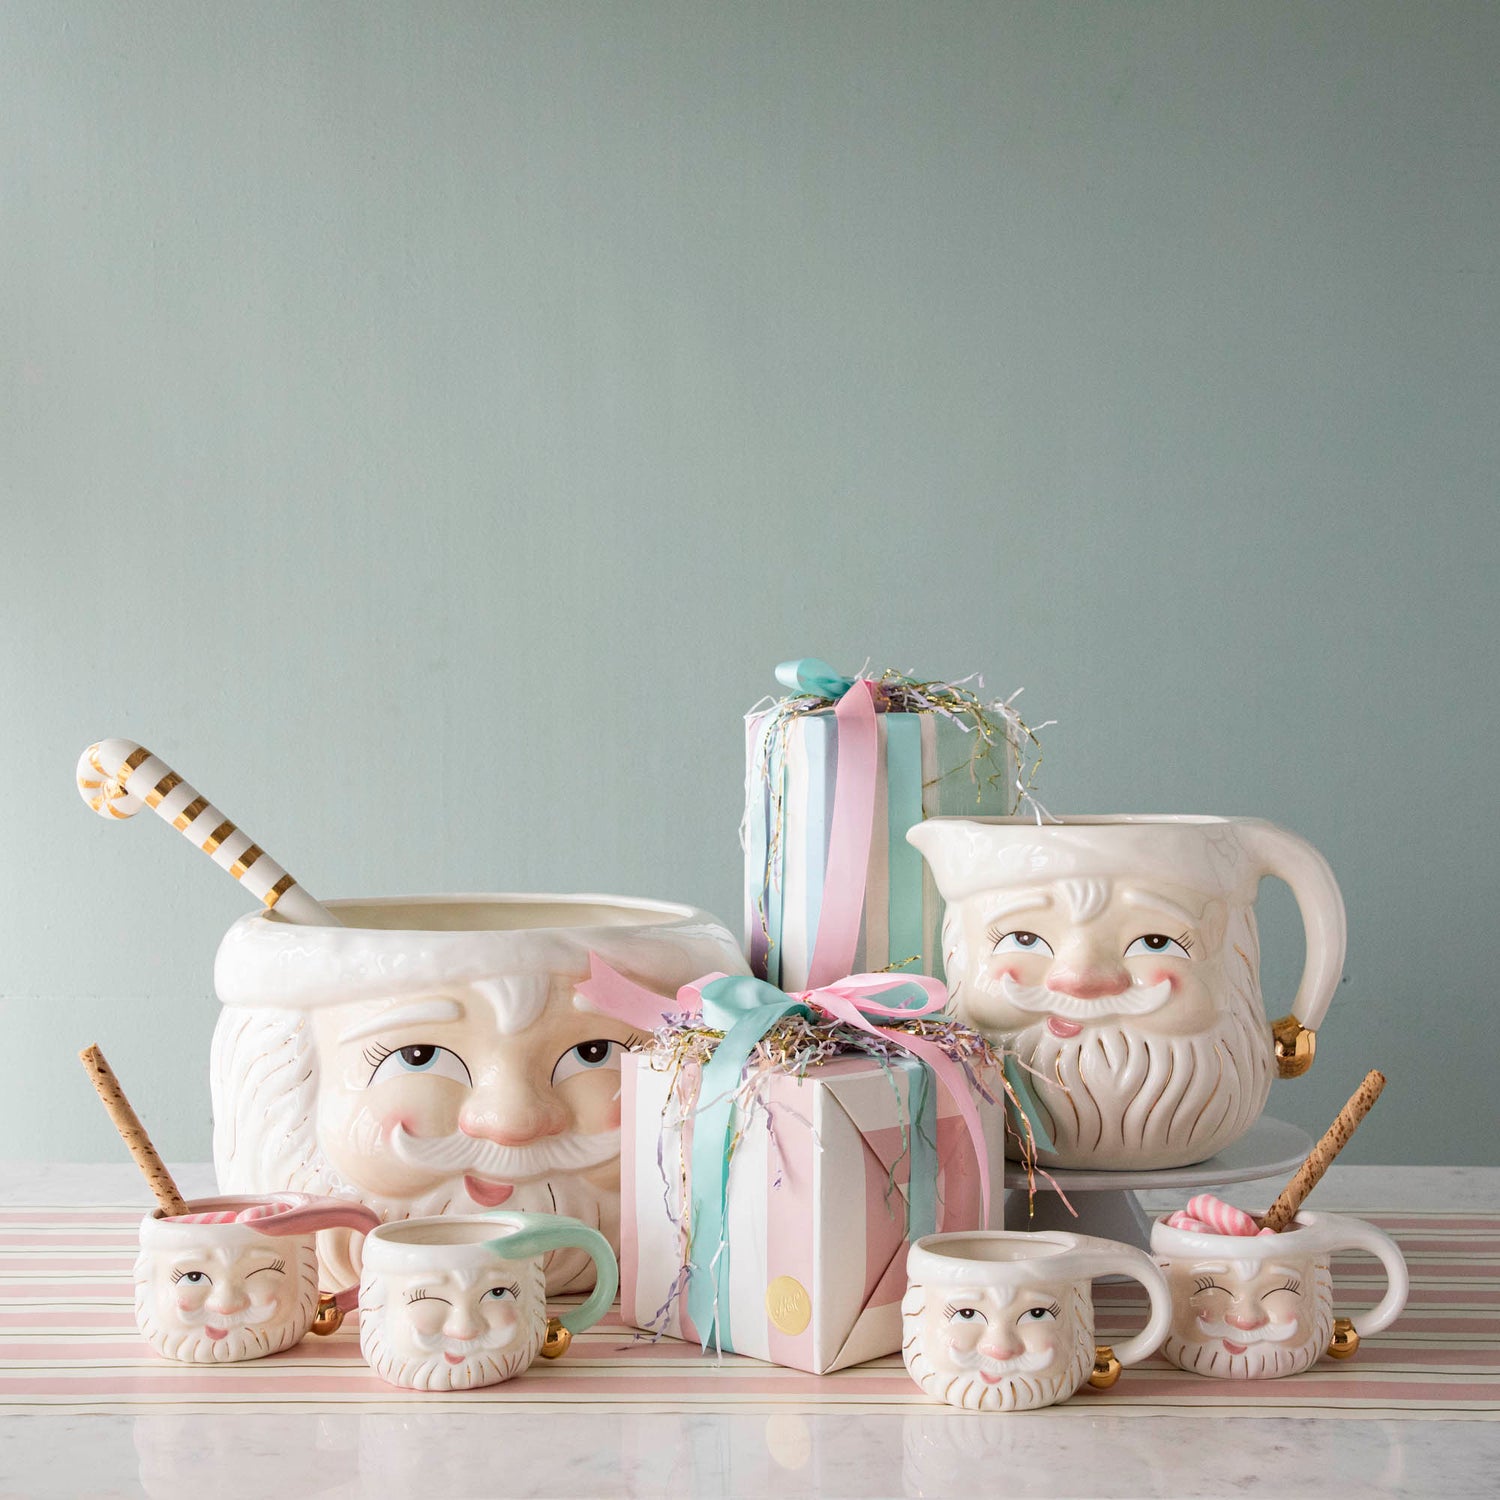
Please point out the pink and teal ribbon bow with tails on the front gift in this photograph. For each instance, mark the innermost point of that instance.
(746, 1010)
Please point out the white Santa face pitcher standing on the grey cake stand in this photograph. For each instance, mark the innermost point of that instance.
(1120, 958)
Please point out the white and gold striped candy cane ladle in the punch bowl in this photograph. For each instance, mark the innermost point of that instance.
(118, 776)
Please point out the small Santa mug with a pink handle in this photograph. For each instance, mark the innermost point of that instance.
(238, 1279)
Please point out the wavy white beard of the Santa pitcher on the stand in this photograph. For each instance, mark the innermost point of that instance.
(1117, 1091)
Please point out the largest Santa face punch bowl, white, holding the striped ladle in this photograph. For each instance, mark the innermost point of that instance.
(431, 1055)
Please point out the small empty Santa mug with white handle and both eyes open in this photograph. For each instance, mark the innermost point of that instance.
(1003, 1321)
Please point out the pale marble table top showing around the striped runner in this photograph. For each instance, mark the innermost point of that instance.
(748, 1457)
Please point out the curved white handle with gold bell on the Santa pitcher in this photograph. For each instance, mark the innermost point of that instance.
(1294, 860)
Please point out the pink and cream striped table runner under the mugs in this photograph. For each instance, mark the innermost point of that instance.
(68, 1345)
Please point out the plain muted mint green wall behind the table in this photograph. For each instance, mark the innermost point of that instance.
(427, 425)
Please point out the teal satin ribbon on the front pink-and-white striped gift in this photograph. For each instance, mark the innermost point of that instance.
(745, 1010)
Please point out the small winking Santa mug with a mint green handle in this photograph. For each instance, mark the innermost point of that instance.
(457, 1303)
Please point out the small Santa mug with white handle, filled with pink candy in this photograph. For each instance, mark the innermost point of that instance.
(1258, 1307)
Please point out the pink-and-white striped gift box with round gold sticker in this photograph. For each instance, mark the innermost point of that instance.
(817, 1223)
